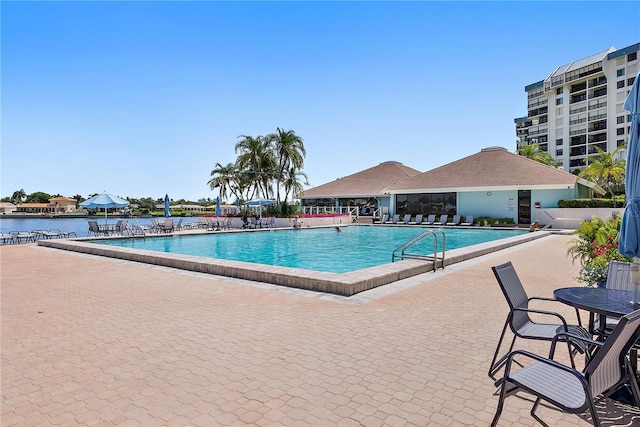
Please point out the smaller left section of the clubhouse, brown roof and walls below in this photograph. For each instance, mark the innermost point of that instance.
(365, 189)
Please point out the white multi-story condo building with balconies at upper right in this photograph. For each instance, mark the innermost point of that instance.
(579, 107)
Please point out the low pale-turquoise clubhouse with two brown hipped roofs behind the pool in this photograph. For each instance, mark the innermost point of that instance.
(494, 182)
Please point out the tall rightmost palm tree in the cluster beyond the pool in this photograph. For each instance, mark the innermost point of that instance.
(289, 152)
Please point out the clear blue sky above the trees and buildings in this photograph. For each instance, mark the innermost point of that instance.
(140, 99)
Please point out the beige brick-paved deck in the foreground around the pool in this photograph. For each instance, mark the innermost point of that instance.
(96, 341)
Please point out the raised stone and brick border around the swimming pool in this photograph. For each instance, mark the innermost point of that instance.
(344, 284)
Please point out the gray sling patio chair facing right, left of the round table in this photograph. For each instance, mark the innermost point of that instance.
(521, 323)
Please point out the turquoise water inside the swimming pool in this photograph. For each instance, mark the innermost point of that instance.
(321, 249)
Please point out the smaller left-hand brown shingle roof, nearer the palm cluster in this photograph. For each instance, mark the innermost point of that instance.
(369, 182)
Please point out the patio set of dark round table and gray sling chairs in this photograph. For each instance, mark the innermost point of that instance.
(609, 344)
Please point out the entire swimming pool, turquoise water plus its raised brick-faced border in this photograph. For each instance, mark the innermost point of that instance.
(307, 245)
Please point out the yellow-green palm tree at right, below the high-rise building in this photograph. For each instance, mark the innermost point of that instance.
(606, 170)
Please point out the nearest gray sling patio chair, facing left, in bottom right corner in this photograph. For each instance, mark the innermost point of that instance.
(566, 388)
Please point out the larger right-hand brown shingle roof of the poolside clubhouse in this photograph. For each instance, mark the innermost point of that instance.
(493, 167)
